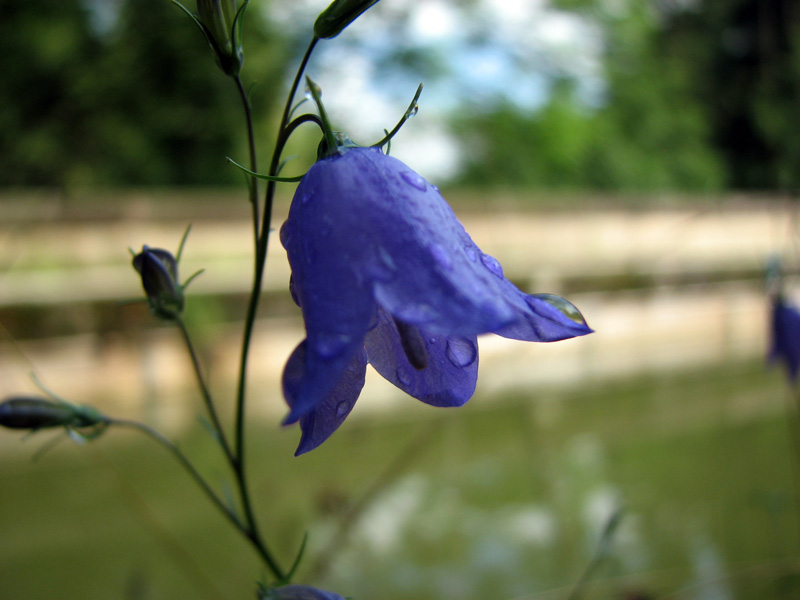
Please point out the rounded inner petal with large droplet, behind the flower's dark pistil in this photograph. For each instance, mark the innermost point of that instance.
(448, 378)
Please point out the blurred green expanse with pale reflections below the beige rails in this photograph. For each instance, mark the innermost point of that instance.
(500, 500)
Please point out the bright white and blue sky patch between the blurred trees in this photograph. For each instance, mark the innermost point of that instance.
(465, 53)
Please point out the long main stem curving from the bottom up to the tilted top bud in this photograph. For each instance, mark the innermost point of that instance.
(238, 461)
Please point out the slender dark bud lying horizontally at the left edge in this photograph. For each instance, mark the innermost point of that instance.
(34, 412)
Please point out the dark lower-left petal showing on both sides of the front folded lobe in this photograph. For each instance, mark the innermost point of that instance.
(326, 417)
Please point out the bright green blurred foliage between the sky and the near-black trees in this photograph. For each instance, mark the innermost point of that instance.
(650, 131)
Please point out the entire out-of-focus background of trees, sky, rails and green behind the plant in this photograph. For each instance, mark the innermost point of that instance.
(639, 157)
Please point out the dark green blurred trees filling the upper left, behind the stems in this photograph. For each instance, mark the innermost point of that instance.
(141, 103)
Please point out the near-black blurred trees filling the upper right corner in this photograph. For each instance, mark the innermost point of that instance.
(744, 60)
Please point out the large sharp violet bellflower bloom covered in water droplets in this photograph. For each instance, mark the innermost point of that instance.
(385, 274)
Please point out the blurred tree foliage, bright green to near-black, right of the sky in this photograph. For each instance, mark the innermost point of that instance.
(699, 96)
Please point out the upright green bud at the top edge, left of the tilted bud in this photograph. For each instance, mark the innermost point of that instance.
(220, 21)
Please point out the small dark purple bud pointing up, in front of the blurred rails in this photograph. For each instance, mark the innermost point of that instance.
(159, 272)
